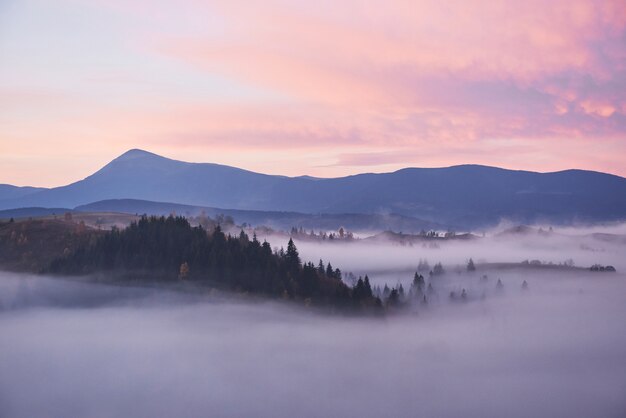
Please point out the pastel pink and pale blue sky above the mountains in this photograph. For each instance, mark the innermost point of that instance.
(322, 88)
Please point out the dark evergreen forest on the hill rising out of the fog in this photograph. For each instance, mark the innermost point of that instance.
(171, 249)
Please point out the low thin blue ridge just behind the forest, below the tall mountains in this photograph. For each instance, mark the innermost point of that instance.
(274, 219)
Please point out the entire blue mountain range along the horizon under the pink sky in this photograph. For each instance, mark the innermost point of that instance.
(468, 195)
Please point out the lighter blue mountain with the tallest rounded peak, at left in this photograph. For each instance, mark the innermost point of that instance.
(142, 175)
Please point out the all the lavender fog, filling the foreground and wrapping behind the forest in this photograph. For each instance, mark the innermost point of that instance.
(556, 349)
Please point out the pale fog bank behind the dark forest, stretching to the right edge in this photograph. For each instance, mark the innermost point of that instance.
(389, 262)
